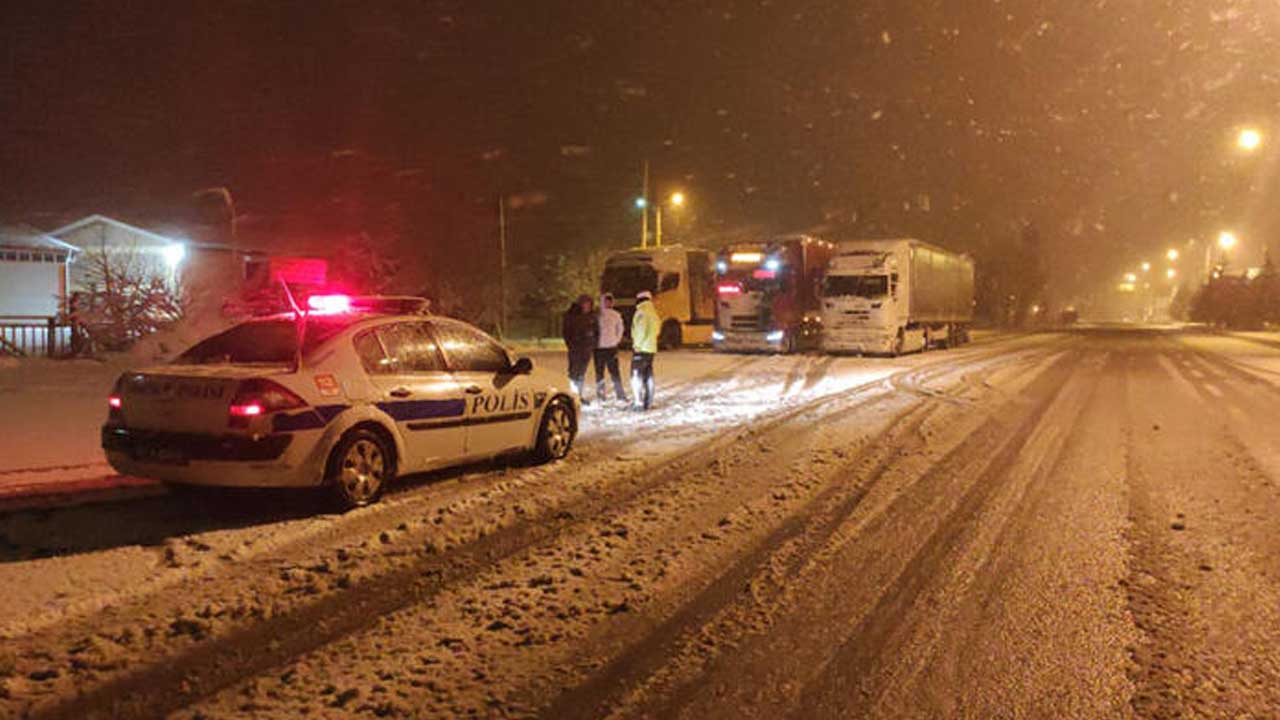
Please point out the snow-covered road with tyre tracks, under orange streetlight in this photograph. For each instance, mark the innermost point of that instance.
(1055, 526)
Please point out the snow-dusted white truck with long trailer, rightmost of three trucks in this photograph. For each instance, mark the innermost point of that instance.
(894, 297)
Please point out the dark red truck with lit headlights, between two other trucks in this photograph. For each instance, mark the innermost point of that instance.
(767, 294)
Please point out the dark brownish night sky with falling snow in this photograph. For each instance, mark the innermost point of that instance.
(1107, 124)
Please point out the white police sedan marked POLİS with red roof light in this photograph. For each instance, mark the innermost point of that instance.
(348, 398)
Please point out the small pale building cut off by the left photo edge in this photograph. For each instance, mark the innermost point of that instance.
(35, 274)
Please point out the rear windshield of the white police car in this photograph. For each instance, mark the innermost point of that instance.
(263, 341)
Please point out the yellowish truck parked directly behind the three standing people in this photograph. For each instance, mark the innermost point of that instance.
(683, 284)
